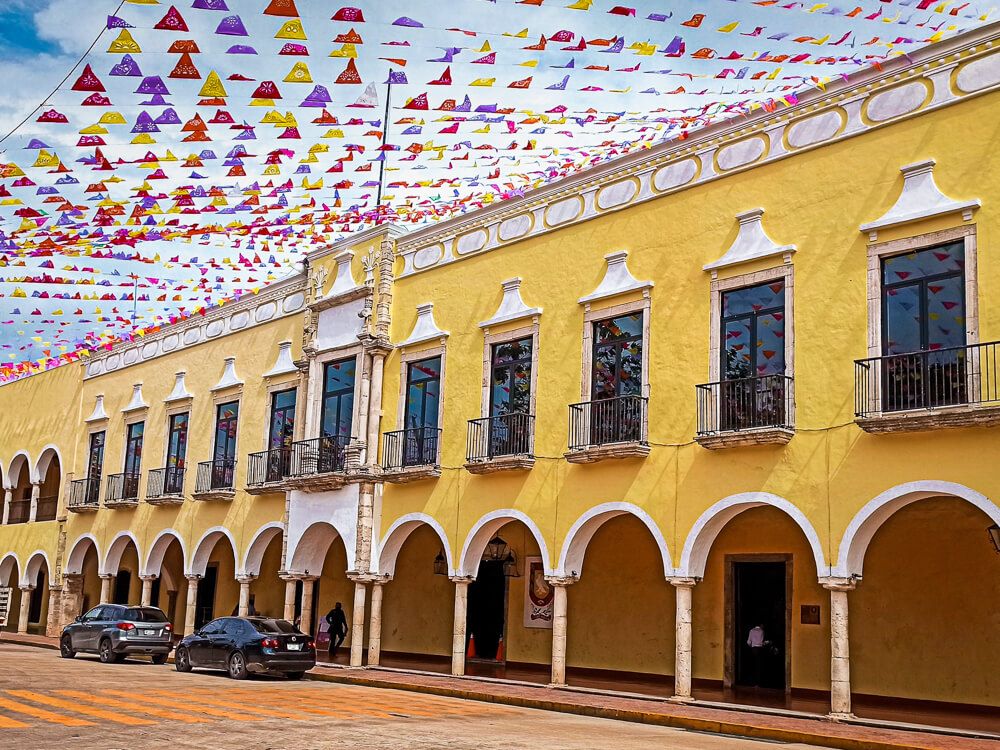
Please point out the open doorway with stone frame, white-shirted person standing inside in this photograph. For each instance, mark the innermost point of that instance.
(758, 598)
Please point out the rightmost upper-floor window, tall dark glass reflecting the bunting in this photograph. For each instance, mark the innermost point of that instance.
(924, 328)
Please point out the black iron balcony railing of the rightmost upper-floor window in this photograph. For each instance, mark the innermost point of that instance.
(931, 379)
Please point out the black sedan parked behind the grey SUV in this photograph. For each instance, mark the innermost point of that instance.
(242, 645)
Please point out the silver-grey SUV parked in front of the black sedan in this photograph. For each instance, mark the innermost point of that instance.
(113, 631)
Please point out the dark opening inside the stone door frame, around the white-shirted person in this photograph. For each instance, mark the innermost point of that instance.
(759, 591)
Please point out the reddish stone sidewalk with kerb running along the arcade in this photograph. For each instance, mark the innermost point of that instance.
(735, 721)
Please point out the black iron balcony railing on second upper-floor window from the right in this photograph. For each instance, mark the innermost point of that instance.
(745, 404)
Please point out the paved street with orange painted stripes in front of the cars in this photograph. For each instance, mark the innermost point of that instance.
(49, 702)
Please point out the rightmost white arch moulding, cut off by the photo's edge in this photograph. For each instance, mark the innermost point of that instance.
(861, 529)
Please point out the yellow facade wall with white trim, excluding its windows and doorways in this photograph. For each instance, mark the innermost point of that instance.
(898, 517)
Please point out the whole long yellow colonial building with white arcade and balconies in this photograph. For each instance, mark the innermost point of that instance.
(716, 415)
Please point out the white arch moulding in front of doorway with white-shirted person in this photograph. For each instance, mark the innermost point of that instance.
(712, 521)
